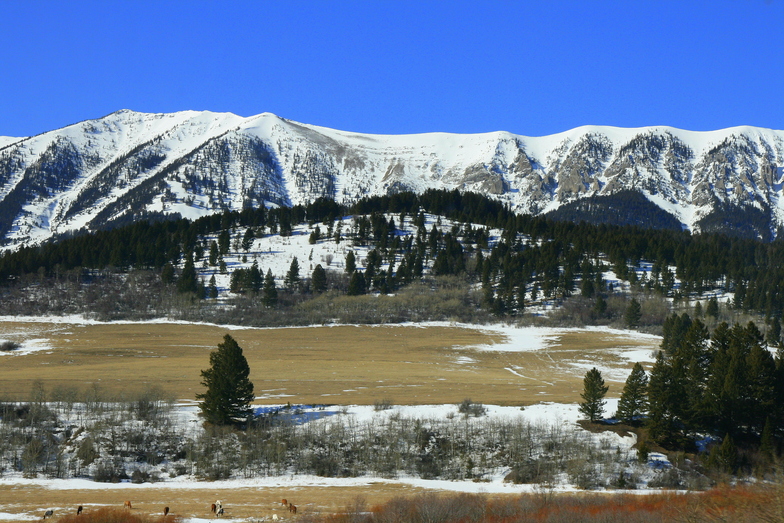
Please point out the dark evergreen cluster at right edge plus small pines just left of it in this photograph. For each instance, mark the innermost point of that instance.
(704, 388)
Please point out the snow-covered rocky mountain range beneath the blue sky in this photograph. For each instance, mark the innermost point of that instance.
(128, 165)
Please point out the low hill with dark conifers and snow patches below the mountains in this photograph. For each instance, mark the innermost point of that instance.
(482, 259)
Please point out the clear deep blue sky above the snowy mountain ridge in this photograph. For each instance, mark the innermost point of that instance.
(528, 67)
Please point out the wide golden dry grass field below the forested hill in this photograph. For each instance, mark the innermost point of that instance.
(321, 365)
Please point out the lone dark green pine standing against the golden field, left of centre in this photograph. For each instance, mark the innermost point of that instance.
(229, 391)
